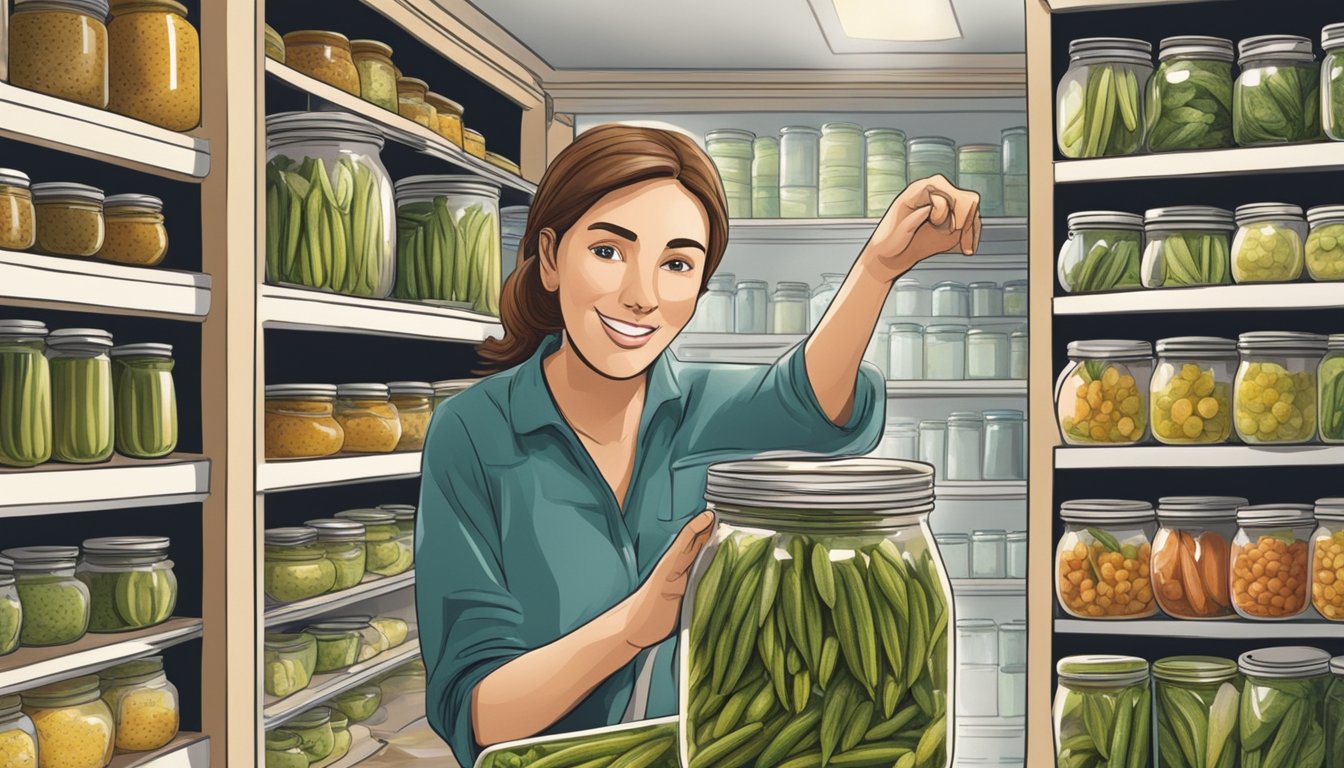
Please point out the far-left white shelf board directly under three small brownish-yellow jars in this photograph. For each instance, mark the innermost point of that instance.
(87, 284)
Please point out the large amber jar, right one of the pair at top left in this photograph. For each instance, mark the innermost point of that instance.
(154, 59)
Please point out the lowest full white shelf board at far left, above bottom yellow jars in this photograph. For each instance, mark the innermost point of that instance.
(32, 668)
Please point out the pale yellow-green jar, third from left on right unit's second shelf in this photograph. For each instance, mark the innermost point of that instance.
(1268, 247)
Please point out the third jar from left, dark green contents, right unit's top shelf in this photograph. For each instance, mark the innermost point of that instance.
(1277, 96)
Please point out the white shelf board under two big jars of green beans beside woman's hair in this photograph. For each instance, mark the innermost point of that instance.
(300, 310)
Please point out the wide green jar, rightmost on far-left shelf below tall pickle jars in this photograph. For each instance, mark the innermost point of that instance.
(131, 583)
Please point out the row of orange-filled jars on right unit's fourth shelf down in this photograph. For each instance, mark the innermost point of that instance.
(1202, 559)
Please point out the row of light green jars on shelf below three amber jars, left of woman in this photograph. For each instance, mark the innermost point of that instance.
(334, 555)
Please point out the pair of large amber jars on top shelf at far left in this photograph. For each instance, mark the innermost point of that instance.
(140, 59)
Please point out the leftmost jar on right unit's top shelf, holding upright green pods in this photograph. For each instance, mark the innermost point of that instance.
(1100, 102)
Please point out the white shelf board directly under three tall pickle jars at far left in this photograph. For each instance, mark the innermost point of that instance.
(57, 489)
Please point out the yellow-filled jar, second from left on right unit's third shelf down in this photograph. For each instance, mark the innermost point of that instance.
(1191, 391)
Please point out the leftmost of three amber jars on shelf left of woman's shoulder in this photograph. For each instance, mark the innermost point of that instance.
(300, 422)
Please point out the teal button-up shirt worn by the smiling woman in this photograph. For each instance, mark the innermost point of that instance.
(521, 540)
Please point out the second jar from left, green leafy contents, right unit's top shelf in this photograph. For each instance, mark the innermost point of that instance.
(1190, 98)
